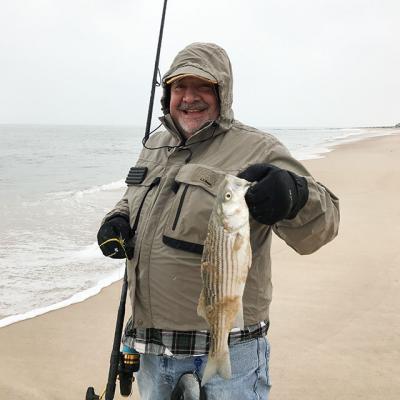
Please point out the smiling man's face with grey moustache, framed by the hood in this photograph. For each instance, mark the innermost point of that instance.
(193, 103)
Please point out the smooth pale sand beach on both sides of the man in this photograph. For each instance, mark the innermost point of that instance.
(335, 315)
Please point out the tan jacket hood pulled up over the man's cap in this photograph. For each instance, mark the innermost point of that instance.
(209, 61)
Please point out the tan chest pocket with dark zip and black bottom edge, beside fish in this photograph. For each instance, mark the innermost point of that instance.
(196, 188)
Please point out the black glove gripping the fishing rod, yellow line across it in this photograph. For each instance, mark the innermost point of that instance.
(113, 237)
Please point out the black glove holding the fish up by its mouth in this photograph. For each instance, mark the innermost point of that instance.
(278, 194)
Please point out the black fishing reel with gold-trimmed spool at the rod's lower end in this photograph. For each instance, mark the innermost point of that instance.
(128, 364)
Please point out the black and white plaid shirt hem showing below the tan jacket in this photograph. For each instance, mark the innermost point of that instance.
(183, 343)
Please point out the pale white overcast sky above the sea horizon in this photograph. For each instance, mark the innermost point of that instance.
(295, 63)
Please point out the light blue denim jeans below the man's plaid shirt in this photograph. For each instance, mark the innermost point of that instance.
(158, 375)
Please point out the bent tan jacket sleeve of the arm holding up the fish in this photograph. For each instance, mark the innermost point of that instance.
(317, 223)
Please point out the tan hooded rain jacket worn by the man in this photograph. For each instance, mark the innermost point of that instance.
(176, 199)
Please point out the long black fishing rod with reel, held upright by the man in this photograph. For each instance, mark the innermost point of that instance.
(117, 365)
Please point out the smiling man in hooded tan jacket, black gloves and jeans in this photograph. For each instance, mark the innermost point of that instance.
(164, 215)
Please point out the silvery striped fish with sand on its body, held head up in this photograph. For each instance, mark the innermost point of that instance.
(225, 262)
